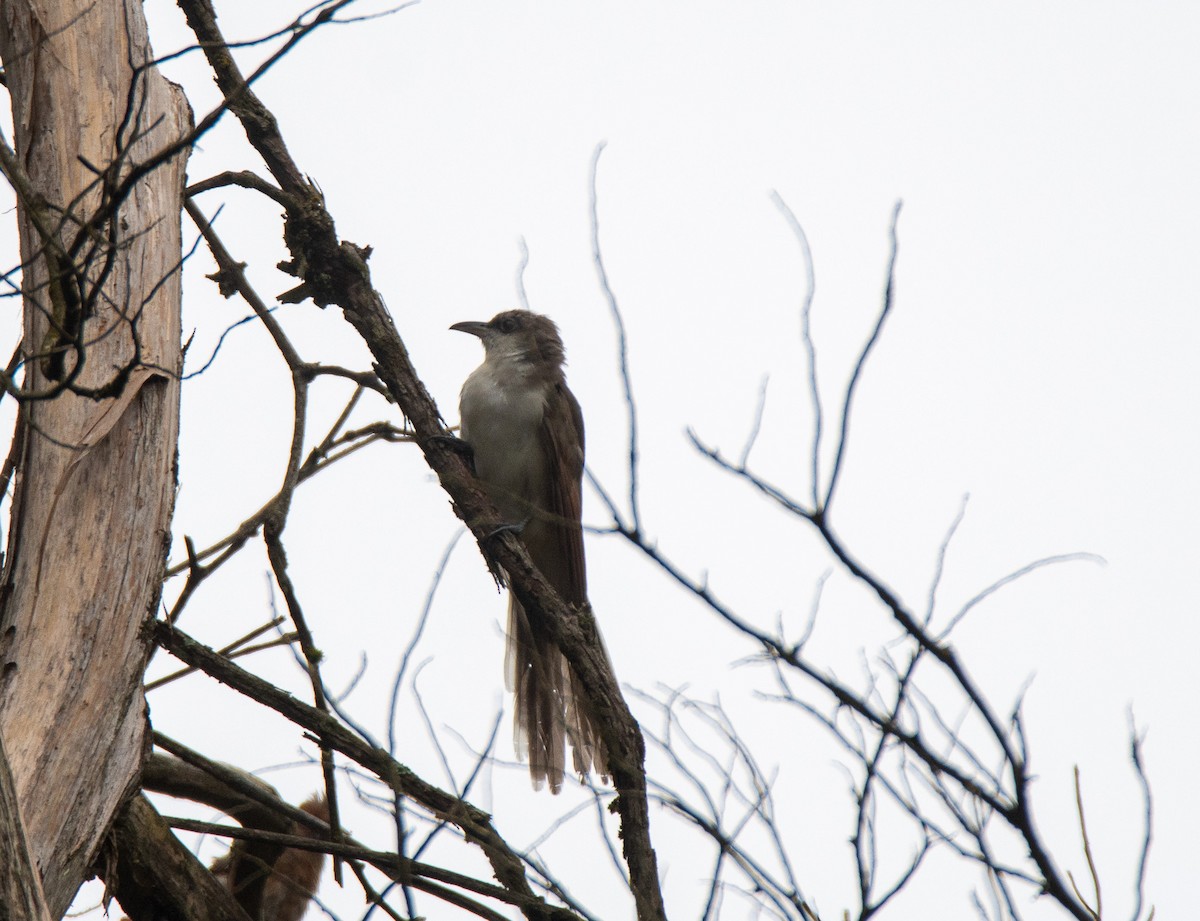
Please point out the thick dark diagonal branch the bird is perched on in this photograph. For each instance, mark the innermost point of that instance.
(335, 273)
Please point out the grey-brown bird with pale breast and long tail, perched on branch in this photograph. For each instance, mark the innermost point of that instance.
(526, 432)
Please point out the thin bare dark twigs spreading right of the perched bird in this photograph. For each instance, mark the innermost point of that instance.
(959, 784)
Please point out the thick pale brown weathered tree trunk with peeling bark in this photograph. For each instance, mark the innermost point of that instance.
(95, 487)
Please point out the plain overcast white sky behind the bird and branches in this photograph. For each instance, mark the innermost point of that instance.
(1041, 359)
